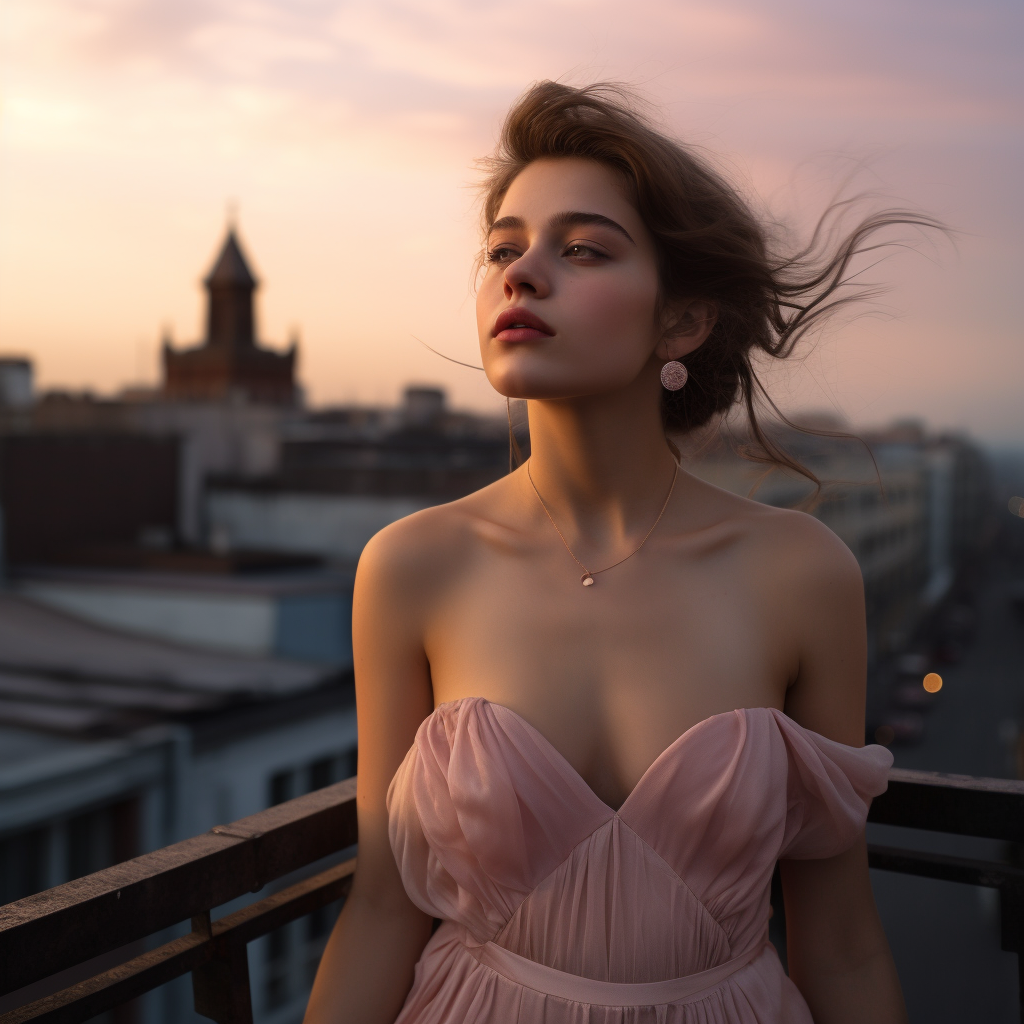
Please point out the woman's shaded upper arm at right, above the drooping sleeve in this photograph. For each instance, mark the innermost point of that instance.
(826, 607)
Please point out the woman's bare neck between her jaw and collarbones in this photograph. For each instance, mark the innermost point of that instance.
(602, 464)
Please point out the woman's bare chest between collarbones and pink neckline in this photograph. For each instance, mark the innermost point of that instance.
(615, 672)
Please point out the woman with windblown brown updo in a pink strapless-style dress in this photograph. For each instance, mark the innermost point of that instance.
(600, 699)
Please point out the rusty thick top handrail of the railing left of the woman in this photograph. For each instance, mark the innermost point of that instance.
(57, 929)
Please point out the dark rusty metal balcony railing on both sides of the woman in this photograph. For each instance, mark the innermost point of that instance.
(46, 934)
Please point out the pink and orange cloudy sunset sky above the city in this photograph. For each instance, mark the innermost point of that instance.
(346, 135)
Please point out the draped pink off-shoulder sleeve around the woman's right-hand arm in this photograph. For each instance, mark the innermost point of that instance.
(829, 791)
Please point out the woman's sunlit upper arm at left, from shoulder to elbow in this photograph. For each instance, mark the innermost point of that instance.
(393, 686)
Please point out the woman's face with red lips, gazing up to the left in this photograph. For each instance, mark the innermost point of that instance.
(569, 304)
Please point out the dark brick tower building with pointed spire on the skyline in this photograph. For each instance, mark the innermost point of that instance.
(230, 364)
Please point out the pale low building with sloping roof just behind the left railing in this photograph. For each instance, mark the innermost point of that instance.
(113, 745)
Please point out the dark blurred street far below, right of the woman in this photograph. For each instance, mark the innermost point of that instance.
(946, 937)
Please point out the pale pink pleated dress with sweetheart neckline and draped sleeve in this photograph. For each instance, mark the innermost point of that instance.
(559, 910)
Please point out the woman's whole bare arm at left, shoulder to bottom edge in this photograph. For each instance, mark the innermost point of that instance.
(369, 963)
